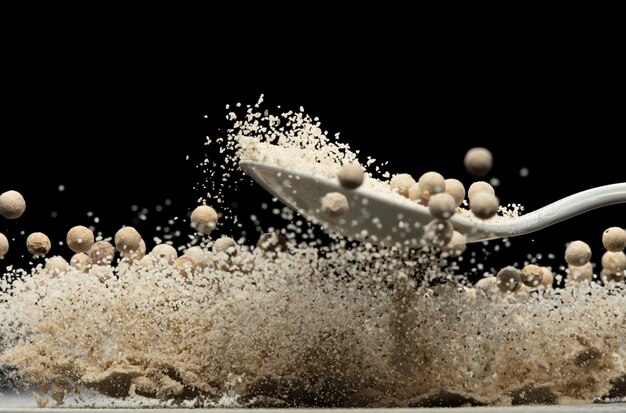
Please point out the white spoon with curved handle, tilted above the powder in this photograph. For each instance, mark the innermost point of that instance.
(381, 219)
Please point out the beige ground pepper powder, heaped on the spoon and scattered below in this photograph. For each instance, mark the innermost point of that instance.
(344, 324)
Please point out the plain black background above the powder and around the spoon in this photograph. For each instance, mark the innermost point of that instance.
(111, 113)
